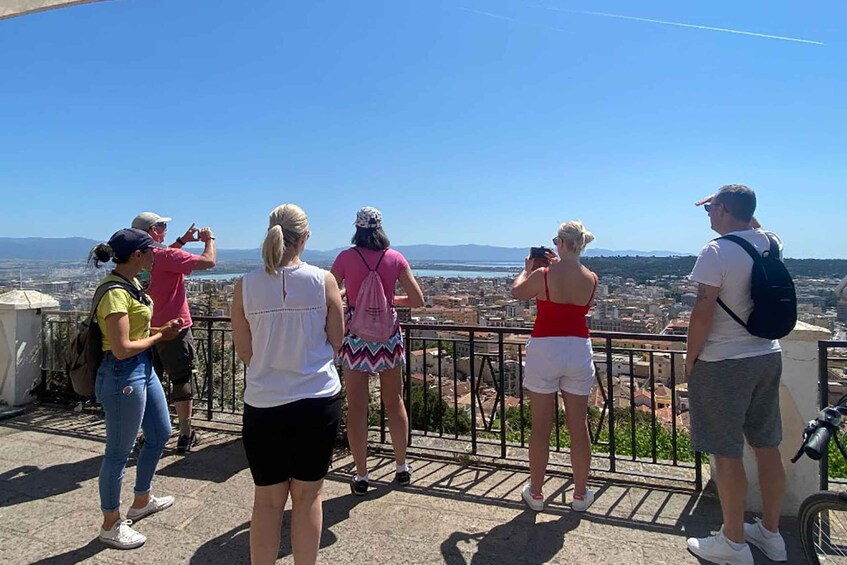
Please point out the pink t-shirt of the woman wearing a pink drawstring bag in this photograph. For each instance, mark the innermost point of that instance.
(350, 267)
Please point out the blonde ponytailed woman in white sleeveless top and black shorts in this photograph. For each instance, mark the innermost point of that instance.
(287, 324)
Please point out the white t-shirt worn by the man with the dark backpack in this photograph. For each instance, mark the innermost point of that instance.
(725, 264)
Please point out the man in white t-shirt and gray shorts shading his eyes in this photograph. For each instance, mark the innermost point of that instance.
(733, 383)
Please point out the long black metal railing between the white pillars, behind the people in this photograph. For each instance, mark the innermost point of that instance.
(464, 394)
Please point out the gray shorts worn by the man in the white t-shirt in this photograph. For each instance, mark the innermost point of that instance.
(733, 399)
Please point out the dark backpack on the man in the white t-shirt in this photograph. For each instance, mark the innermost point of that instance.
(774, 312)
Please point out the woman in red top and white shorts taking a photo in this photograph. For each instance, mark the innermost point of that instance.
(559, 358)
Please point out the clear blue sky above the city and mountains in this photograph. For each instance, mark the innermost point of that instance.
(465, 121)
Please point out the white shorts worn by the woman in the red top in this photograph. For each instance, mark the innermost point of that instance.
(559, 363)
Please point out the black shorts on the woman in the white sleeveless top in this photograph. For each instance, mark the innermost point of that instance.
(292, 441)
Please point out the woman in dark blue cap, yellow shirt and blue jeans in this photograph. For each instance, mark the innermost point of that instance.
(126, 386)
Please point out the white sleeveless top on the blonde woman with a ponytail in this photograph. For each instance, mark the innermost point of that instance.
(292, 357)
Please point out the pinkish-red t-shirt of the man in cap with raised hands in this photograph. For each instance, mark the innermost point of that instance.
(167, 284)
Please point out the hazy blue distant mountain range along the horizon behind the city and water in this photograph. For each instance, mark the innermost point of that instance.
(77, 248)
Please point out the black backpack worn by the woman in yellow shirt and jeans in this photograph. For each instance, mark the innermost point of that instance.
(82, 356)
